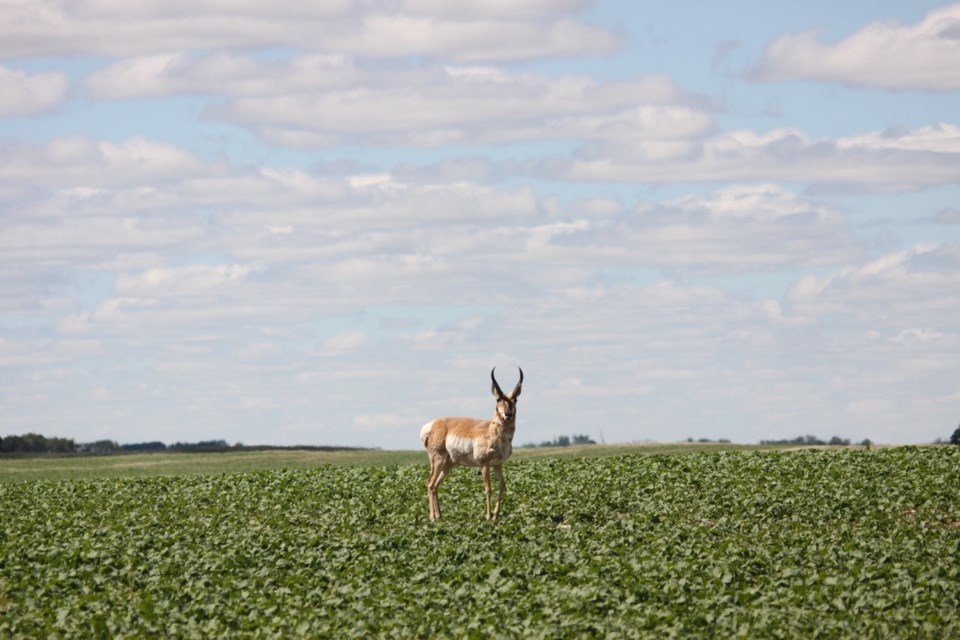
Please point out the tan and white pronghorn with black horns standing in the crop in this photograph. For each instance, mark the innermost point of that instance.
(472, 443)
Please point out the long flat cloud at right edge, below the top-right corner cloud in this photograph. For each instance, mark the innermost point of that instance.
(894, 160)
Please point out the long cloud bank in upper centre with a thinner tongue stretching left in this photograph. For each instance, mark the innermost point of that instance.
(323, 100)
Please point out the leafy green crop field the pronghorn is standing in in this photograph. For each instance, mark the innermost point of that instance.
(858, 544)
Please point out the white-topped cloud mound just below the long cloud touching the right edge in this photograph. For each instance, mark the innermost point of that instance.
(733, 230)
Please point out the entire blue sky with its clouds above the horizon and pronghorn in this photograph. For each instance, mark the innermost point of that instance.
(324, 224)
